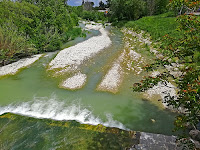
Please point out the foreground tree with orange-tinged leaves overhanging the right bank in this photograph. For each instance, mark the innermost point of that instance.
(186, 52)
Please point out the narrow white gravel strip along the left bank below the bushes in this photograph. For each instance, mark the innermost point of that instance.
(14, 67)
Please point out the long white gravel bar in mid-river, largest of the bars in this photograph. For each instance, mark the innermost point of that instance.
(73, 56)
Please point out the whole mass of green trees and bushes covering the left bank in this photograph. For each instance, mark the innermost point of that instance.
(30, 27)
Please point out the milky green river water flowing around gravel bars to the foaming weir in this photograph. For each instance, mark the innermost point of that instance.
(32, 92)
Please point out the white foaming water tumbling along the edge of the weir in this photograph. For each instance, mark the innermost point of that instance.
(58, 110)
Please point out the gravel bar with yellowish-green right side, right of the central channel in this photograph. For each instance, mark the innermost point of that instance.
(128, 62)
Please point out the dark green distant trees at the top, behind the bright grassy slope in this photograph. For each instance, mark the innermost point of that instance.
(134, 9)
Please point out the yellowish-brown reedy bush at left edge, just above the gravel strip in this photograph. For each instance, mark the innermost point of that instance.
(13, 45)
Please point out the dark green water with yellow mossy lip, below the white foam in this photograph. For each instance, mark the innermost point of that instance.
(20, 132)
